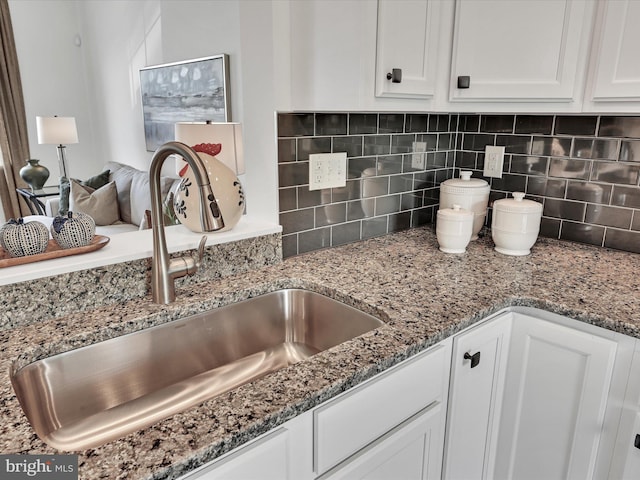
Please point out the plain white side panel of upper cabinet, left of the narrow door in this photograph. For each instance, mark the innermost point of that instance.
(328, 54)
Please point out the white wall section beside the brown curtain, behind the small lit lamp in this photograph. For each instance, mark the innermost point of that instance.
(52, 71)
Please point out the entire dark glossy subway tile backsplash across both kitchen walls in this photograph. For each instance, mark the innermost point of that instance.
(584, 169)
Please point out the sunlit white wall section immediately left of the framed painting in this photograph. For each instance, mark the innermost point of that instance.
(115, 36)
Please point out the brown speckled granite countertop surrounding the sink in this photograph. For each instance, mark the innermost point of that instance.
(422, 294)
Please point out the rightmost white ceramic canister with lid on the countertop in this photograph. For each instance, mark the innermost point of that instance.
(515, 224)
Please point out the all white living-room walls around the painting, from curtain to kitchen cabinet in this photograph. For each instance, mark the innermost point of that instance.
(121, 36)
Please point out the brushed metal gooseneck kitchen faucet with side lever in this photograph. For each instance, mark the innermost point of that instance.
(165, 270)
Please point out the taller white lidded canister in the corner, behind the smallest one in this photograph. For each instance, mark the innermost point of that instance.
(470, 193)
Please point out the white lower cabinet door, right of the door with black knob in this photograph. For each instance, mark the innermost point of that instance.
(556, 392)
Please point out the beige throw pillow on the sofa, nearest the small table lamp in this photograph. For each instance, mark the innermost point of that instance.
(101, 204)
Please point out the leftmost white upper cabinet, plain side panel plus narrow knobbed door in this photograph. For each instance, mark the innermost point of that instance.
(336, 54)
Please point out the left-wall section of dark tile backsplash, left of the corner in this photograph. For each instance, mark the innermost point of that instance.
(387, 189)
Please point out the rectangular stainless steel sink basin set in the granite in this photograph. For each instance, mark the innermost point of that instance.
(89, 396)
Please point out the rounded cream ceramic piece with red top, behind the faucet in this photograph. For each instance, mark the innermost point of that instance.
(226, 189)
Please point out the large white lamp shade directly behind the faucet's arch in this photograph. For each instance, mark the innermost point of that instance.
(226, 133)
